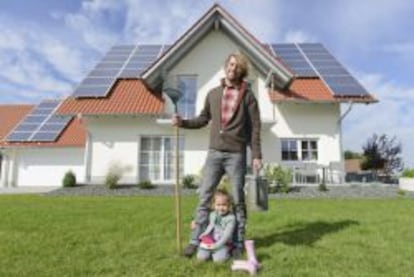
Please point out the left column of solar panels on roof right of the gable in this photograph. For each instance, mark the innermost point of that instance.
(292, 56)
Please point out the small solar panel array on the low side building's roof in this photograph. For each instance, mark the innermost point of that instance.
(41, 124)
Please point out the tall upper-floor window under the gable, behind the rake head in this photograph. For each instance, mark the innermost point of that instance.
(187, 84)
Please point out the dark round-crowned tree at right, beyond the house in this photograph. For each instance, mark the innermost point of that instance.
(382, 153)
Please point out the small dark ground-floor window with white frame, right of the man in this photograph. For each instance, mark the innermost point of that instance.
(299, 149)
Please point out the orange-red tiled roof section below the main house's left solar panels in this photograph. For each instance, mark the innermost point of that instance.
(126, 97)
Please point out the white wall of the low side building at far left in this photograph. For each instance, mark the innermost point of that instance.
(46, 166)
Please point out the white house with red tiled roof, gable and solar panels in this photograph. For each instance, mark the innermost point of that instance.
(119, 114)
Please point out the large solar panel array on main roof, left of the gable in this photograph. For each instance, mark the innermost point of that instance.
(122, 61)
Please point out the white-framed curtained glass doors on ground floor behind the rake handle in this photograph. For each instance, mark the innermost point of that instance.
(157, 162)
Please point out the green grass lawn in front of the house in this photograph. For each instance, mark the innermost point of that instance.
(135, 236)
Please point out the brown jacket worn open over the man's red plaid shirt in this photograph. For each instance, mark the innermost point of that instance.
(235, 135)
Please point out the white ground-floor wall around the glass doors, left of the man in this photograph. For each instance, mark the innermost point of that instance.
(117, 141)
